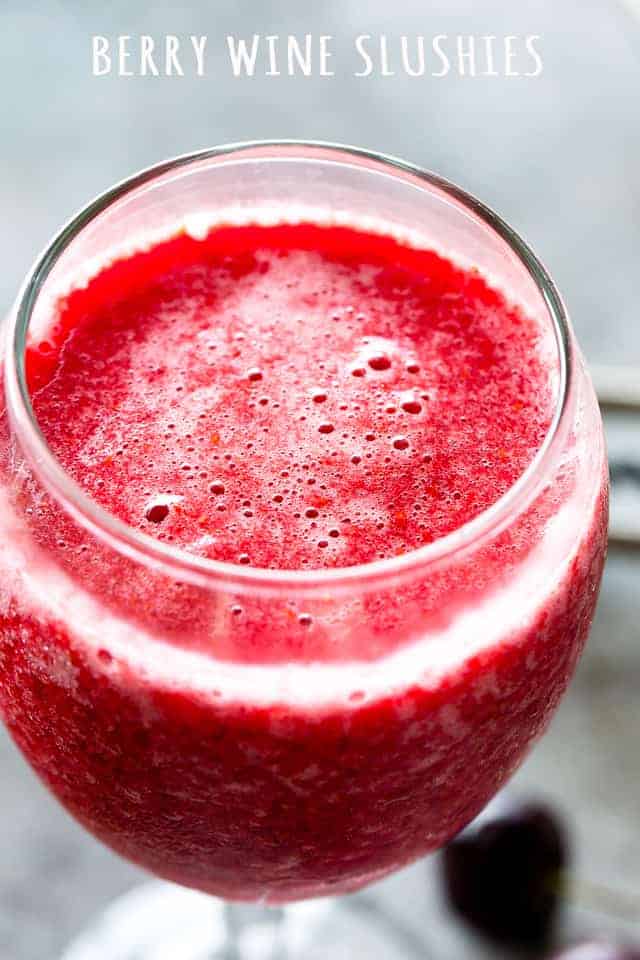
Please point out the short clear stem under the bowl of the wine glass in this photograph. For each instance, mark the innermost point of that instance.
(254, 932)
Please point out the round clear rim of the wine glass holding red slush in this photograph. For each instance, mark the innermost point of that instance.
(185, 566)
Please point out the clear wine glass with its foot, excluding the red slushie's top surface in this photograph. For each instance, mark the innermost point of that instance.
(277, 776)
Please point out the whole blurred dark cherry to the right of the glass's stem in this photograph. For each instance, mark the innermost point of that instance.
(504, 874)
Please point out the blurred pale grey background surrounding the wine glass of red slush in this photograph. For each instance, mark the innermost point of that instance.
(558, 156)
